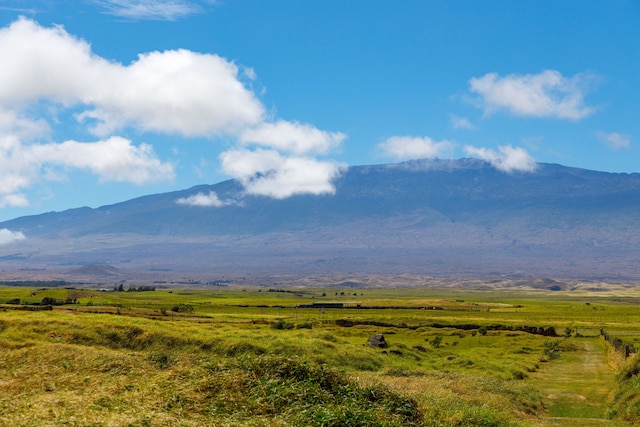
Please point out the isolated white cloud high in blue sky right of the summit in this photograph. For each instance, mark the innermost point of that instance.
(547, 94)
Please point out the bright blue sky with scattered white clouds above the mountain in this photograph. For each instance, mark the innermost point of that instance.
(102, 101)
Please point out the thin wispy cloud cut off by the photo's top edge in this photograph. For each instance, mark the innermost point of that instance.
(165, 10)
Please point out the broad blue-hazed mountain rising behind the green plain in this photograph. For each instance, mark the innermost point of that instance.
(428, 217)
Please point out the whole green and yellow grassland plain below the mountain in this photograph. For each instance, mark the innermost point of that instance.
(234, 357)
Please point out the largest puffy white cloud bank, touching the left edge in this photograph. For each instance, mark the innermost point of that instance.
(47, 71)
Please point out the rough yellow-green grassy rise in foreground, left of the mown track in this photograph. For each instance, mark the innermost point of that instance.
(60, 368)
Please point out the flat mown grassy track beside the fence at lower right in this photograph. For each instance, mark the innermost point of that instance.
(577, 386)
